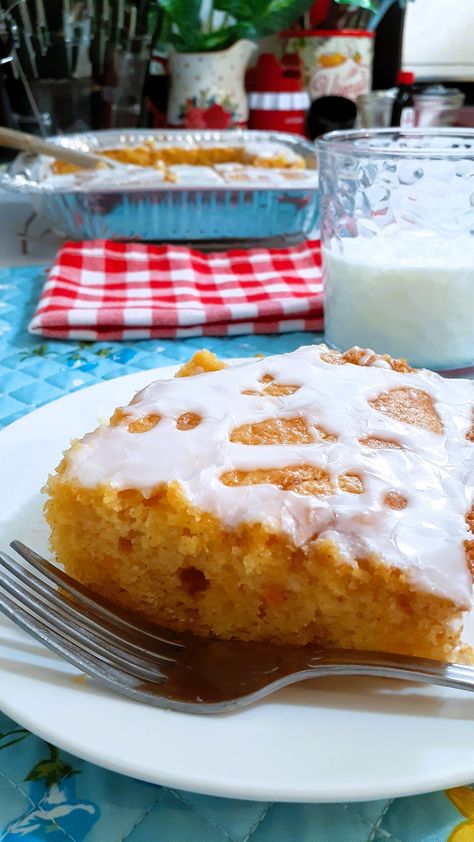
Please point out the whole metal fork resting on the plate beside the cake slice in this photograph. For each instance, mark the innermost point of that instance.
(175, 670)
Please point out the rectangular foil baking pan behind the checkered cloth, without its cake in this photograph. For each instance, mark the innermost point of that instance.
(150, 210)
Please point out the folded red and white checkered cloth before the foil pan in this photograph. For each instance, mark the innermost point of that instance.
(108, 290)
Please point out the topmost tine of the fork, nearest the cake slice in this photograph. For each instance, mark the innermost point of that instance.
(100, 606)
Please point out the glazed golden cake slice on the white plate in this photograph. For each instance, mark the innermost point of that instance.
(306, 497)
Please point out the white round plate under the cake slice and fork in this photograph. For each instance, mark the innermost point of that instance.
(327, 740)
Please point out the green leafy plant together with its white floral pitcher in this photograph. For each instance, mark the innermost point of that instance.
(210, 52)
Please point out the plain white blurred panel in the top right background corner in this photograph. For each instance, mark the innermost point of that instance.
(439, 39)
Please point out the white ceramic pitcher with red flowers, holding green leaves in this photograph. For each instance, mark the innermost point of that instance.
(207, 89)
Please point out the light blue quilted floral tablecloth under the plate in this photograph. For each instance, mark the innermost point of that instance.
(46, 794)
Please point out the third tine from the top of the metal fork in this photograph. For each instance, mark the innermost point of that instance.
(57, 615)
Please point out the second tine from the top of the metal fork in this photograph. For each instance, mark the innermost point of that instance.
(130, 640)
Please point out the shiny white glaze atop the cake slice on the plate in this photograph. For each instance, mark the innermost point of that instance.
(434, 471)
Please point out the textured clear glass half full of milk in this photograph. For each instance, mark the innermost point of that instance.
(397, 229)
